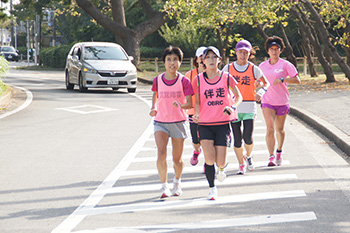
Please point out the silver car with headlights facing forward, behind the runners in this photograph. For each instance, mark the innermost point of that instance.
(100, 65)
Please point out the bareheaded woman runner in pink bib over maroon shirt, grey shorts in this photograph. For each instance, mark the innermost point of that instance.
(171, 95)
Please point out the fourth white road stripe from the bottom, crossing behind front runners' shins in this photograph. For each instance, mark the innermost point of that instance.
(197, 169)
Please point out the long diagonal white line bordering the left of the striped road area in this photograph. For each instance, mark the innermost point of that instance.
(74, 219)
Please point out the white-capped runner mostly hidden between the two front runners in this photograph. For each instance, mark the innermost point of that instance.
(199, 68)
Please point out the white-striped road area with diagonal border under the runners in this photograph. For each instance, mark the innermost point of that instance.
(130, 194)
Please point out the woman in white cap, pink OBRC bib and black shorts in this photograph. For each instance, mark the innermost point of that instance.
(214, 110)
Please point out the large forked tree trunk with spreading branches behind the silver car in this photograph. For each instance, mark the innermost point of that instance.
(129, 38)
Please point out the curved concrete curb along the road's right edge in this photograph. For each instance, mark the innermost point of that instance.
(341, 140)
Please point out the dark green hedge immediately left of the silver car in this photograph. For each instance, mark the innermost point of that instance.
(55, 56)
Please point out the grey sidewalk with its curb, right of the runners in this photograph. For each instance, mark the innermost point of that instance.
(327, 112)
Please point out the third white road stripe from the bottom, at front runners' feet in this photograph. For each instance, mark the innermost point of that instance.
(203, 183)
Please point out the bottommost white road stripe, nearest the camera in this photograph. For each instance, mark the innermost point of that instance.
(222, 223)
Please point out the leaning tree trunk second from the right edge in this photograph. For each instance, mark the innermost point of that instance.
(308, 29)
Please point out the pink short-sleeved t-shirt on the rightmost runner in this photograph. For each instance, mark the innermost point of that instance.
(277, 94)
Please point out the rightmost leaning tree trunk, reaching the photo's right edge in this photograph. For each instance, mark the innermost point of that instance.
(324, 35)
